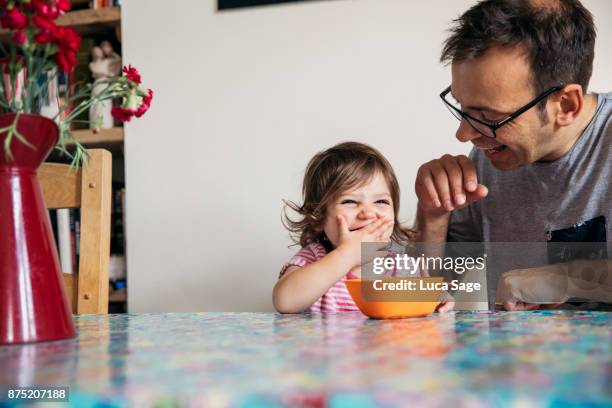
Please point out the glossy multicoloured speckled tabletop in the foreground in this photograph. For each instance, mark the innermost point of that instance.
(538, 358)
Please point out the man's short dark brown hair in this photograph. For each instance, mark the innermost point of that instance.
(557, 35)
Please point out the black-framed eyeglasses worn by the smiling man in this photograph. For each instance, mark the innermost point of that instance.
(489, 128)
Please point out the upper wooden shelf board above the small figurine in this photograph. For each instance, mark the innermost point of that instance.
(88, 21)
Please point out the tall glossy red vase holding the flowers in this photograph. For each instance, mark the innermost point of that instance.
(33, 305)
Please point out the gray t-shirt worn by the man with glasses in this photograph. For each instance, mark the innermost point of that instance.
(569, 199)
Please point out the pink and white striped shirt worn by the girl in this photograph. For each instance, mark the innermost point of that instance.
(337, 298)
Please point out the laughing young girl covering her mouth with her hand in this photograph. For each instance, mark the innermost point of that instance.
(350, 196)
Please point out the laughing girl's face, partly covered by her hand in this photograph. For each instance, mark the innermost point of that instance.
(360, 206)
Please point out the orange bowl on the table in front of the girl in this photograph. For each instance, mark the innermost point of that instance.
(392, 309)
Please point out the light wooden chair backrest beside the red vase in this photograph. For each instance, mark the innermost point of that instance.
(90, 189)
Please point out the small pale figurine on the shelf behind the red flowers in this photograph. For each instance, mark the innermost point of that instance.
(105, 63)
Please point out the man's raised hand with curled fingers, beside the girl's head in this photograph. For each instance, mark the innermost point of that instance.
(447, 184)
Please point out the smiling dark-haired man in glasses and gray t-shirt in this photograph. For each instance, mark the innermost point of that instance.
(541, 166)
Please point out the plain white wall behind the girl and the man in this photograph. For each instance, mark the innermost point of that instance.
(242, 100)
